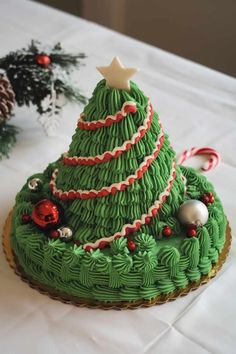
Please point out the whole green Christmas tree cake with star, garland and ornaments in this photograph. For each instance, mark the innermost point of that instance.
(116, 220)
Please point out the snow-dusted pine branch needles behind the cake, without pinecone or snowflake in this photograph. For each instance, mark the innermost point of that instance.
(31, 79)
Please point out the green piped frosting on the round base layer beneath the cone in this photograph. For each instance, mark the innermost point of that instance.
(158, 266)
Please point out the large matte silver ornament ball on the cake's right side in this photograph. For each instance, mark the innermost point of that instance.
(193, 212)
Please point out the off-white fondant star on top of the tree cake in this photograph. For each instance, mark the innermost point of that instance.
(116, 75)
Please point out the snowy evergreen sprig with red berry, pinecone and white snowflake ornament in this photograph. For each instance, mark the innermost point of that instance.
(37, 75)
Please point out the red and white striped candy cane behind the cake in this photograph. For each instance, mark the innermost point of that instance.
(213, 161)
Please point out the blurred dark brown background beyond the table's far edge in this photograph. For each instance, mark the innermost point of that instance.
(200, 30)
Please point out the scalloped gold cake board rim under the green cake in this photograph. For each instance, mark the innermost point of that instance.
(65, 298)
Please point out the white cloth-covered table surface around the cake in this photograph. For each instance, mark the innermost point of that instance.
(198, 107)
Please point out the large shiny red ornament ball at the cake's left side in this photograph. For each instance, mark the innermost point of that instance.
(45, 214)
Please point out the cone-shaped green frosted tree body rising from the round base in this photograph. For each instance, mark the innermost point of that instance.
(101, 216)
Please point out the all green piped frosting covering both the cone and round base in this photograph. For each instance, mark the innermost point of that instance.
(158, 265)
